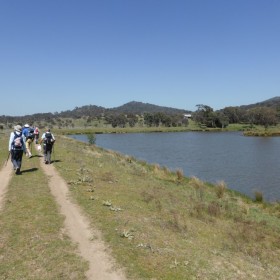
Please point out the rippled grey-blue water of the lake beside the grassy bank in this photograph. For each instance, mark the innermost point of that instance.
(246, 164)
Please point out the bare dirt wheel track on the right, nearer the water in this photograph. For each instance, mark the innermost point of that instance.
(90, 244)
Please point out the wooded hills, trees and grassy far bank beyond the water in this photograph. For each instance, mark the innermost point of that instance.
(140, 117)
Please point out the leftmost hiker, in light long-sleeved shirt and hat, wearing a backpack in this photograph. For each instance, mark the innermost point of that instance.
(16, 148)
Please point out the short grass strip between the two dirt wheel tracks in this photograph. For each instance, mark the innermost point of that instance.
(32, 242)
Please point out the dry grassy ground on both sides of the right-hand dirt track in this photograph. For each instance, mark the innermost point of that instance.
(159, 224)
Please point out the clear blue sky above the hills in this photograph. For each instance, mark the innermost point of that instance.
(59, 54)
